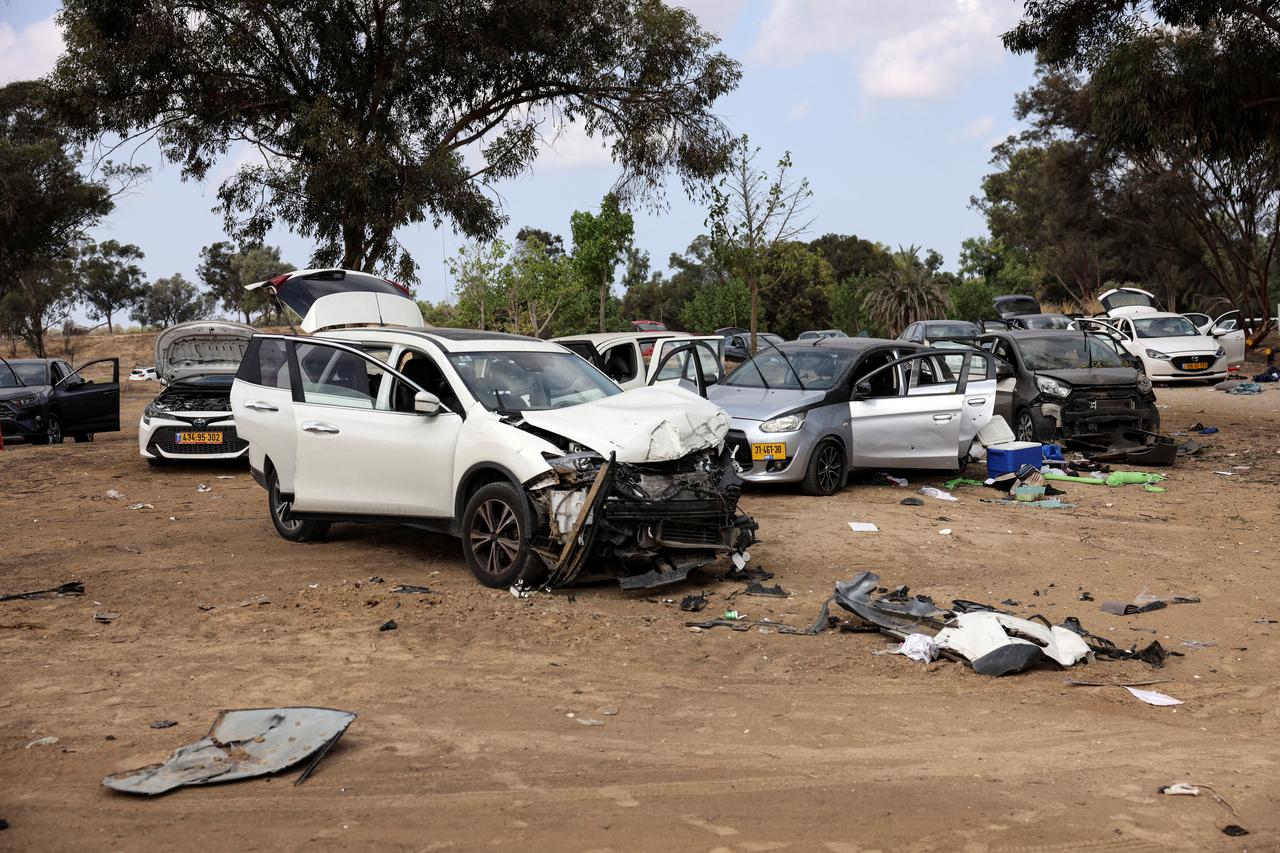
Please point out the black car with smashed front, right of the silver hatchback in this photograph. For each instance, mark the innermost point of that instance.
(1057, 384)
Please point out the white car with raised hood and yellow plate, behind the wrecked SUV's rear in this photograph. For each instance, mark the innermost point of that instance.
(191, 418)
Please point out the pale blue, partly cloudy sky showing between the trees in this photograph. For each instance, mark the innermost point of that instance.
(890, 110)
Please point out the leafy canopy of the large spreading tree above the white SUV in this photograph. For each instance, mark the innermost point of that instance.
(378, 115)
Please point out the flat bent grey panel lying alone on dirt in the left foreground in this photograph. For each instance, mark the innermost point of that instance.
(241, 745)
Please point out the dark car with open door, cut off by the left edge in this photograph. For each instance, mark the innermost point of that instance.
(44, 400)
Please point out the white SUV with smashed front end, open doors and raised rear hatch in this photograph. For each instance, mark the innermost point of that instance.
(547, 471)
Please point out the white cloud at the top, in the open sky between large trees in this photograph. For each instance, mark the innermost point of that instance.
(913, 51)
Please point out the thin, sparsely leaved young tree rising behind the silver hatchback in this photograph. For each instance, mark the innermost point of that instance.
(752, 215)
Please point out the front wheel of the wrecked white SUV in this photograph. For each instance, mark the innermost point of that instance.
(496, 528)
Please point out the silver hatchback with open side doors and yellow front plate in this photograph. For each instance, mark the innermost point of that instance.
(810, 412)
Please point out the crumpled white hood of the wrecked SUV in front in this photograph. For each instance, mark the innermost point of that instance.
(655, 425)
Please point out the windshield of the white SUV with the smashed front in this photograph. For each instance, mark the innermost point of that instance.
(511, 382)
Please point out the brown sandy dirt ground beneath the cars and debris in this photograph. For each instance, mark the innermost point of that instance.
(720, 742)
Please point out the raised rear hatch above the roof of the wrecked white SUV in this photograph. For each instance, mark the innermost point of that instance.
(332, 299)
